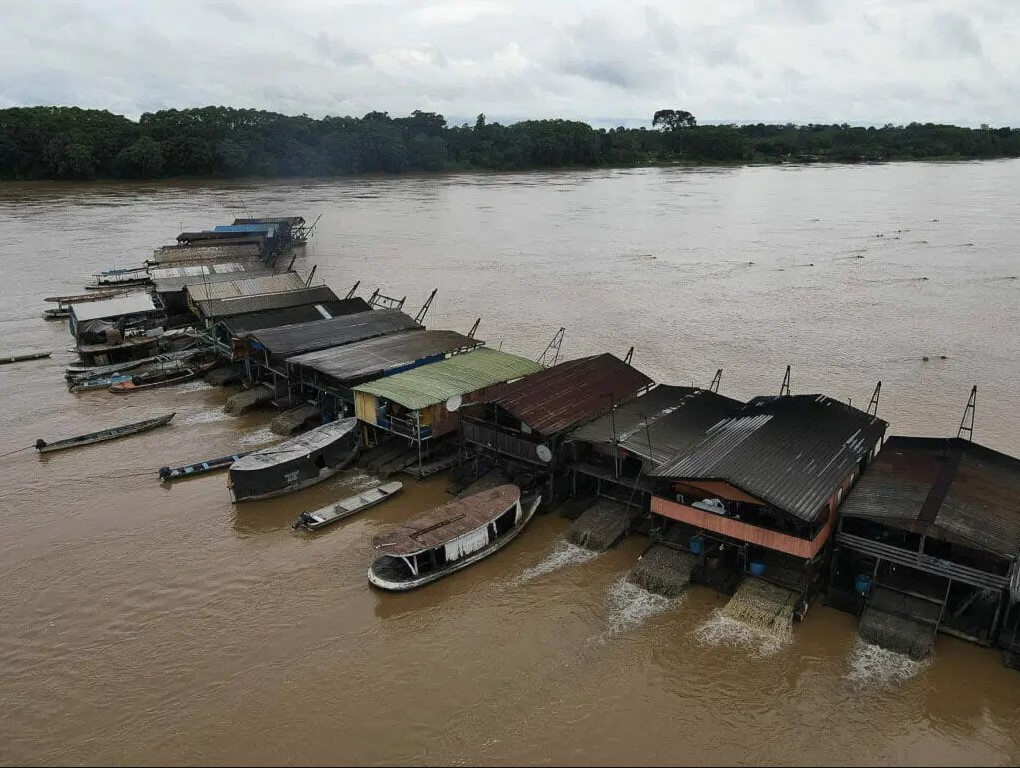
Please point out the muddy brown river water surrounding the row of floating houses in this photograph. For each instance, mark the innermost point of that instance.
(159, 625)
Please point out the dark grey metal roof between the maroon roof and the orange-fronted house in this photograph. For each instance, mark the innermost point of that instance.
(661, 424)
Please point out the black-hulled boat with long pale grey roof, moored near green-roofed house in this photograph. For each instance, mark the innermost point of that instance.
(295, 465)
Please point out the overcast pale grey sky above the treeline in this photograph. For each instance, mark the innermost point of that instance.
(860, 62)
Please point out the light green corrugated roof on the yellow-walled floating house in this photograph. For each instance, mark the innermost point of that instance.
(428, 385)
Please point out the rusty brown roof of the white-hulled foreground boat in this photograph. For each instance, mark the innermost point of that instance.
(445, 524)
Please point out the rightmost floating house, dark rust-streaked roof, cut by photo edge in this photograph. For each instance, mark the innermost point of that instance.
(929, 542)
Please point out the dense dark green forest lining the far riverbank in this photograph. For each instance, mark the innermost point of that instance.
(73, 143)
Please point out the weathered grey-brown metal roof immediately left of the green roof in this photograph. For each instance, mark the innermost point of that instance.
(375, 357)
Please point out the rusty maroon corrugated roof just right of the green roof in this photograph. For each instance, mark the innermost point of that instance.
(573, 393)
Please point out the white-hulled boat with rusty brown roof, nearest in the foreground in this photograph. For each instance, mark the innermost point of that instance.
(450, 538)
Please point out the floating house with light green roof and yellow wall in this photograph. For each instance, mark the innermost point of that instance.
(416, 404)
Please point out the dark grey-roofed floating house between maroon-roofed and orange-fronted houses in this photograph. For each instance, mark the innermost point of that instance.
(614, 455)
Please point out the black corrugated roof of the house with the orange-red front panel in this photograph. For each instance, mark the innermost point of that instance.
(791, 452)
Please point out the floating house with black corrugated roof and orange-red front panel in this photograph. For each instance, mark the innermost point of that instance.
(760, 494)
